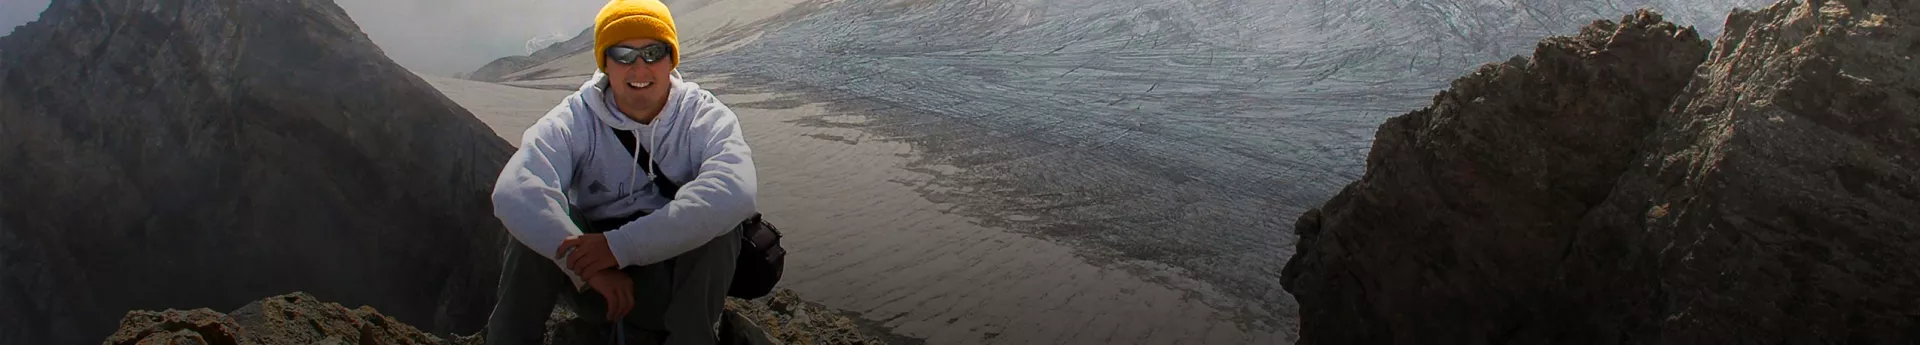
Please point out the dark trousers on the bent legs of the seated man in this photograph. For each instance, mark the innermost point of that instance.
(675, 302)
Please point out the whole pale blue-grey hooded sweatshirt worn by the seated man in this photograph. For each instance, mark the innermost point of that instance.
(573, 150)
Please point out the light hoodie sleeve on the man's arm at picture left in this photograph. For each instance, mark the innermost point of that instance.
(529, 198)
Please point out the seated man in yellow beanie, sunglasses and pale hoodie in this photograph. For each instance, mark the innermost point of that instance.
(661, 265)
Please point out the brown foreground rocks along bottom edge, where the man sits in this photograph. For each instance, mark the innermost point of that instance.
(304, 319)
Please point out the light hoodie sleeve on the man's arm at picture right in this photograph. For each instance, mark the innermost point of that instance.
(706, 208)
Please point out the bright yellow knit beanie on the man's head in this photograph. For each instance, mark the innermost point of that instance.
(625, 20)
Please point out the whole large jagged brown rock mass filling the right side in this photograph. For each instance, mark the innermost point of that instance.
(1608, 191)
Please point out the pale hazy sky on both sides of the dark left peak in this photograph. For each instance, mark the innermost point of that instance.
(441, 37)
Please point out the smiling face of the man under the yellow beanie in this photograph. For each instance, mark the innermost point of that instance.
(640, 89)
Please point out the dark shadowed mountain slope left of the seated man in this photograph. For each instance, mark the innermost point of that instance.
(206, 152)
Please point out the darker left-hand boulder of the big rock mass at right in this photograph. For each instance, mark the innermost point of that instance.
(1487, 177)
